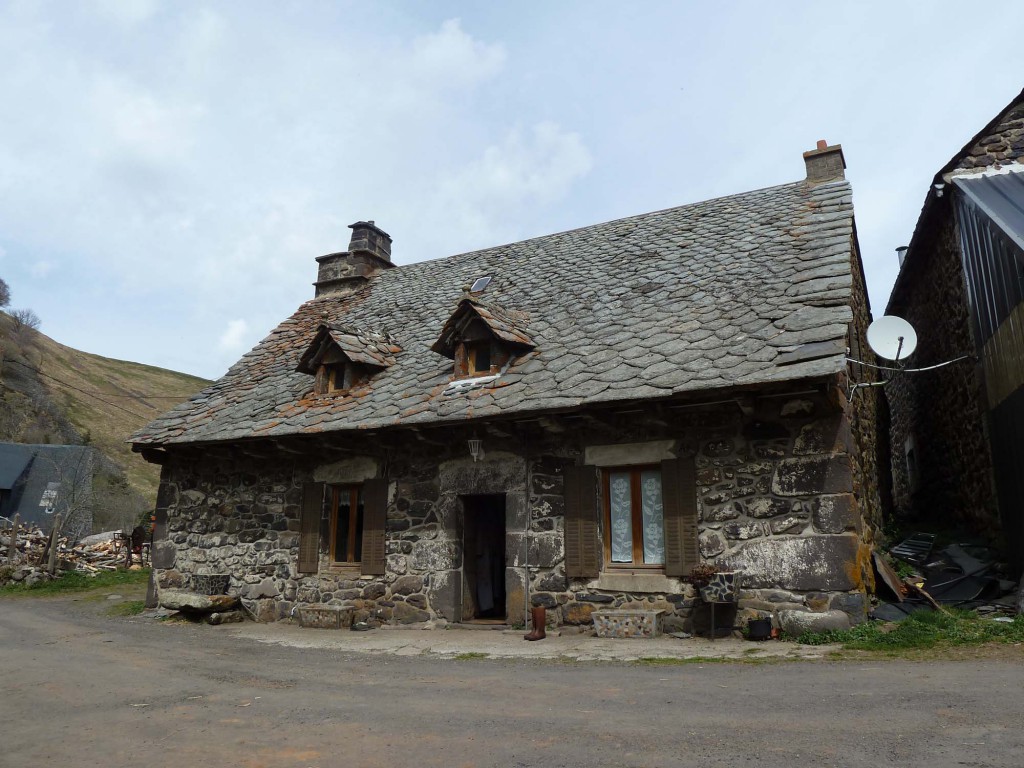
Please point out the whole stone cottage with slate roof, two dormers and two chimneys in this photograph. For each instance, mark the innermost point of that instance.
(572, 421)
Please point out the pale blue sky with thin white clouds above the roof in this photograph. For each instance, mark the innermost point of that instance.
(169, 170)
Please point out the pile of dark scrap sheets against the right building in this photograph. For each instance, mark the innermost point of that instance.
(964, 576)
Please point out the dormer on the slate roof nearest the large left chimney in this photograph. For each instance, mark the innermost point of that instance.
(342, 358)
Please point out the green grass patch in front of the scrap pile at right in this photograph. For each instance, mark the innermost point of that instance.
(923, 630)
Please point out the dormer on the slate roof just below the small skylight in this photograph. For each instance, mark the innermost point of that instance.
(482, 338)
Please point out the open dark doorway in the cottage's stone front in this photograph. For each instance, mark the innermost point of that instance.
(484, 560)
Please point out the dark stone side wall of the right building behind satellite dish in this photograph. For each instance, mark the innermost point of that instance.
(940, 414)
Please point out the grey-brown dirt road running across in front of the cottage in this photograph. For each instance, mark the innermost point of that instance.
(81, 689)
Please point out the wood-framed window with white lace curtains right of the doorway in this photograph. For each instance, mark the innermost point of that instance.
(634, 519)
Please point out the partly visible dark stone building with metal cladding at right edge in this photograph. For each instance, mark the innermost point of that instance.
(956, 431)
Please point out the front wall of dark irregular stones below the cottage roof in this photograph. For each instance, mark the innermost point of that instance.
(777, 488)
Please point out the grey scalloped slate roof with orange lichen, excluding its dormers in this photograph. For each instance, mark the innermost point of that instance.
(744, 290)
